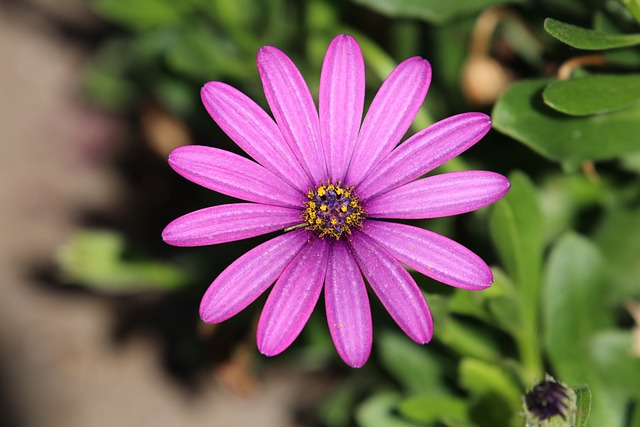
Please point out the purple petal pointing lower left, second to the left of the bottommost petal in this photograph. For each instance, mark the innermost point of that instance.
(249, 276)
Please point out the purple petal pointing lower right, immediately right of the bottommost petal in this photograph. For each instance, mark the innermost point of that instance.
(394, 286)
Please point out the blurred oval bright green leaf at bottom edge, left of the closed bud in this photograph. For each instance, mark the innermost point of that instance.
(431, 409)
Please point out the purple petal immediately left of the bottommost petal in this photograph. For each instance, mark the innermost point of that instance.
(293, 298)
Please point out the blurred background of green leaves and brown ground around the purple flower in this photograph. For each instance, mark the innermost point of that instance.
(98, 317)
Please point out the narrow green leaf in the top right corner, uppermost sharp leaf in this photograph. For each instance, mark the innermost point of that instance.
(583, 38)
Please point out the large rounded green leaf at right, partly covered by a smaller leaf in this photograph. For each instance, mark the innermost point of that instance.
(521, 113)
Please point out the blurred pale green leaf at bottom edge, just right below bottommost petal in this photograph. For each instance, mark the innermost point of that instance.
(378, 411)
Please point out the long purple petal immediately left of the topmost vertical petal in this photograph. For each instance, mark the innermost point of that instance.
(292, 105)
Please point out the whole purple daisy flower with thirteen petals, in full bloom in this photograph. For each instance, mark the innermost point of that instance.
(330, 179)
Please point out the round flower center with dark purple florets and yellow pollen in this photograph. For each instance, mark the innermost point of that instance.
(332, 210)
